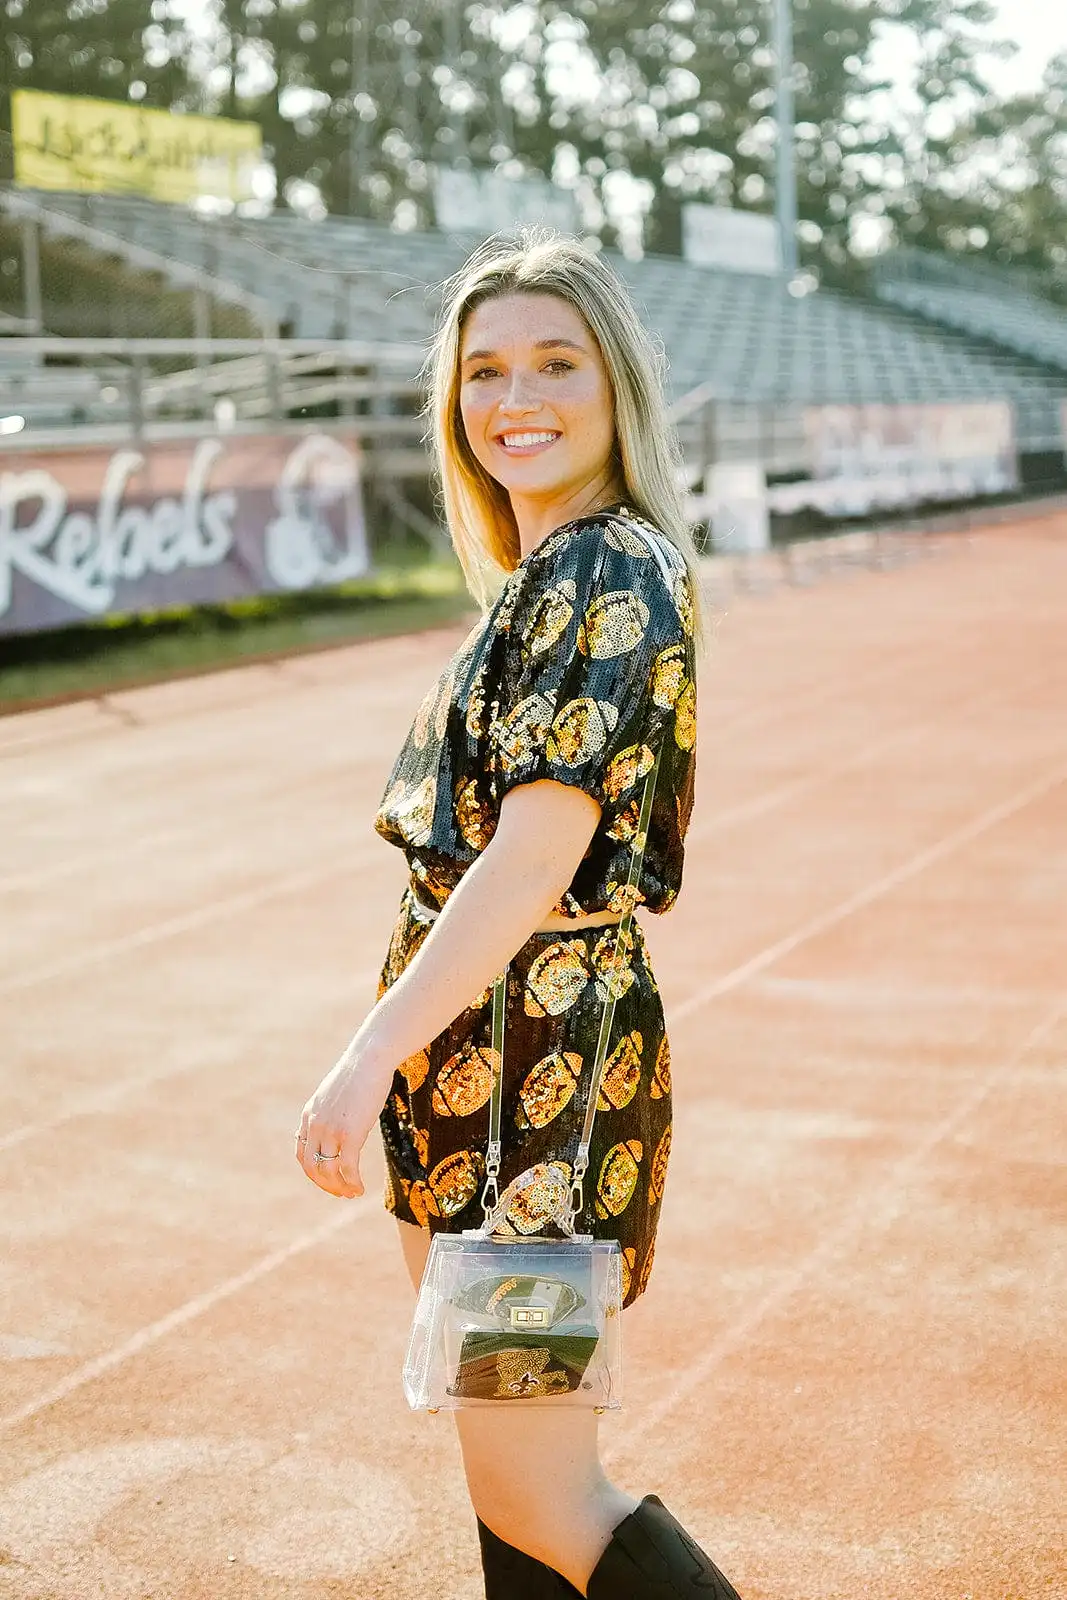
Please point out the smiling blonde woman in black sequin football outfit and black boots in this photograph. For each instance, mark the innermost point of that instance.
(516, 801)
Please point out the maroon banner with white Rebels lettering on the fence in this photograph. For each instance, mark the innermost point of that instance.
(90, 534)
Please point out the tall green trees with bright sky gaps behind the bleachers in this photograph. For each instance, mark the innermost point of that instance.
(660, 100)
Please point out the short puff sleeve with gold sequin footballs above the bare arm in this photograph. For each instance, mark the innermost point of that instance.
(597, 655)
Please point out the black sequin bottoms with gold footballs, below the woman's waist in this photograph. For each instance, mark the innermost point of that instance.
(436, 1119)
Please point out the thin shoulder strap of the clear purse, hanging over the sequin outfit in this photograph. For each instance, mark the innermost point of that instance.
(490, 1196)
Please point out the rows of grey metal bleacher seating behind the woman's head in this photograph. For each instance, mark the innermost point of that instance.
(740, 340)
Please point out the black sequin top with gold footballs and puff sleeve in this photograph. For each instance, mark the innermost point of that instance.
(581, 668)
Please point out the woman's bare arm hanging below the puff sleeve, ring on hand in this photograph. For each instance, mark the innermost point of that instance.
(541, 836)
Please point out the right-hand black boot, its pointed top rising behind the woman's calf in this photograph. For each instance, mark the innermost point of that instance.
(652, 1558)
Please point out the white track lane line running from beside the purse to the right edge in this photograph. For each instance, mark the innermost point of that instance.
(874, 1209)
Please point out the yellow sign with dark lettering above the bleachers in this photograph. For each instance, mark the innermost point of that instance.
(106, 146)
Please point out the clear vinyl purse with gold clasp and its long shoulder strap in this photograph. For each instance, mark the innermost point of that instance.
(506, 1316)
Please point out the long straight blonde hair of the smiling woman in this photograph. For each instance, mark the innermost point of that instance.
(647, 454)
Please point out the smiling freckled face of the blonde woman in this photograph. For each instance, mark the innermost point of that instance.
(537, 401)
